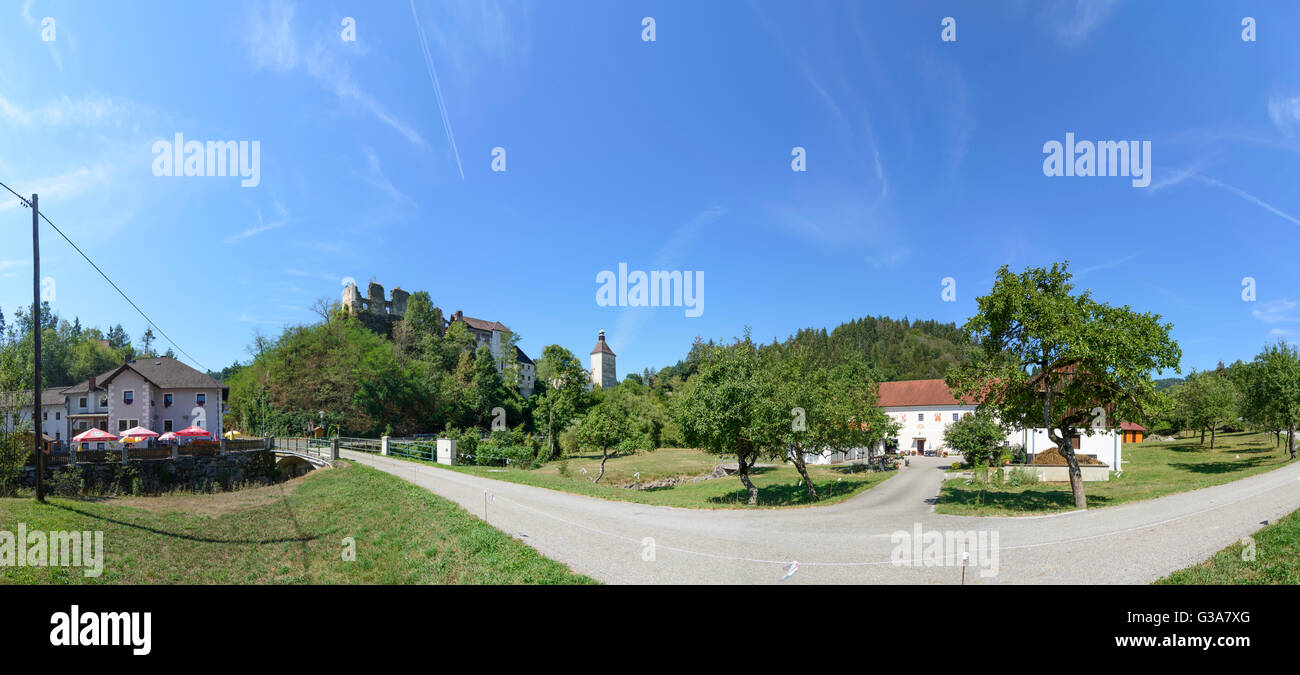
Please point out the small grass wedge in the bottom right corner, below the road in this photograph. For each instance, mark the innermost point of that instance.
(1277, 560)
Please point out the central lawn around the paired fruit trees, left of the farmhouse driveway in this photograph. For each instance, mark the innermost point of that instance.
(778, 486)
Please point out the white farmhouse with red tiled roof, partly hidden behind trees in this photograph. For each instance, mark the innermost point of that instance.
(924, 409)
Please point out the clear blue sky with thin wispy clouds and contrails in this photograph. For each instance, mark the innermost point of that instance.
(925, 161)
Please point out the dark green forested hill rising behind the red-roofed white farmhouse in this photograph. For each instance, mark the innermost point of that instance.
(898, 349)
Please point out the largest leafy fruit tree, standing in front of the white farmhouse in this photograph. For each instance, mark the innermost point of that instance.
(1048, 358)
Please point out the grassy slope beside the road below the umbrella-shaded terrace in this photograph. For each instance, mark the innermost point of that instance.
(289, 534)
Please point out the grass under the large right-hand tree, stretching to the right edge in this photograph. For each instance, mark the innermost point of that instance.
(1151, 469)
